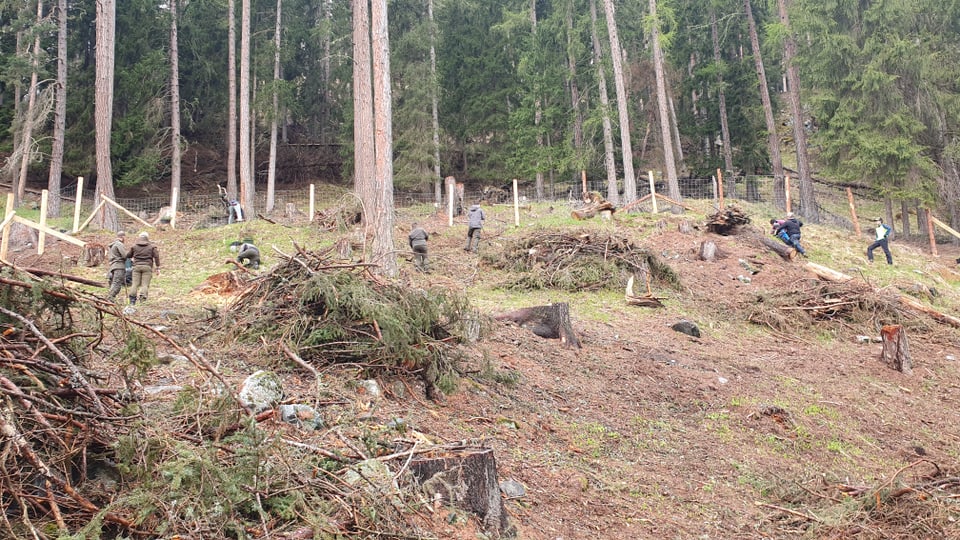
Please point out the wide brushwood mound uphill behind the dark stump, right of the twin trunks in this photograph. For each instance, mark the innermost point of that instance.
(582, 260)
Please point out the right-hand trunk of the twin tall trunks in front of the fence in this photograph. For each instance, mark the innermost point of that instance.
(384, 251)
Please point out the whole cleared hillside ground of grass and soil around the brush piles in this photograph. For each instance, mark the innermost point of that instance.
(777, 422)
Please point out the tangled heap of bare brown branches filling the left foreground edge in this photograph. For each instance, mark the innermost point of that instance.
(58, 423)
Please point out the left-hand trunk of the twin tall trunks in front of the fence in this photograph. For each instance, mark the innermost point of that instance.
(363, 144)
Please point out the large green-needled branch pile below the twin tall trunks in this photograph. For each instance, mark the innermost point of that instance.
(329, 312)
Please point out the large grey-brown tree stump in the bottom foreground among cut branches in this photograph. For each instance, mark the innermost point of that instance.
(467, 479)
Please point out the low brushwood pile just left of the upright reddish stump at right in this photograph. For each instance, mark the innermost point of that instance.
(814, 301)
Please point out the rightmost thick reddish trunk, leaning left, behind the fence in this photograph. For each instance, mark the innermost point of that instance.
(808, 200)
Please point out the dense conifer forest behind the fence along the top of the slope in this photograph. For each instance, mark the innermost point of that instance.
(859, 93)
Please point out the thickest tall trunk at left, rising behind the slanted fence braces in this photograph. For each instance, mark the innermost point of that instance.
(103, 110)
